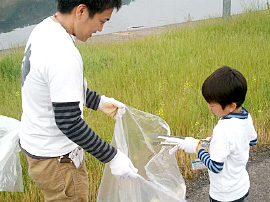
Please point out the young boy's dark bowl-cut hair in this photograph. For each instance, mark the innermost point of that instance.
(225, 86)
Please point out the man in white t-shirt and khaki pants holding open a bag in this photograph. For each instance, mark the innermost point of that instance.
(53, 95)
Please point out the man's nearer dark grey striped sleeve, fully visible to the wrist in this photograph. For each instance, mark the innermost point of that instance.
(69, 121)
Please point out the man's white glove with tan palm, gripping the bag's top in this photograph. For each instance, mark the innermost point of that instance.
(110, 106)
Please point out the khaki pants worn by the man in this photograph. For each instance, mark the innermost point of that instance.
(59, 181)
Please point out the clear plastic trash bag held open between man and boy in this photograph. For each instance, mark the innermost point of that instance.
(160, 179)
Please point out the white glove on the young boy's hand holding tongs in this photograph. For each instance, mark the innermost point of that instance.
(189, 145)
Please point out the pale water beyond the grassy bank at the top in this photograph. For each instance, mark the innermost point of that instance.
(19, 17)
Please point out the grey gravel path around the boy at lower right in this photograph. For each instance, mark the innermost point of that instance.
(259, 171)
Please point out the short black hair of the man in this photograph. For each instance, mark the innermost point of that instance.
(94, 6)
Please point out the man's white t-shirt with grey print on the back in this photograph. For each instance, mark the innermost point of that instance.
(52, 71)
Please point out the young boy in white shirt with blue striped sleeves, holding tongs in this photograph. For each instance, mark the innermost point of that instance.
(225, 90)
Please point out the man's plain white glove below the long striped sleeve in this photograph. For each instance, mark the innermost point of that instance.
(122, 167)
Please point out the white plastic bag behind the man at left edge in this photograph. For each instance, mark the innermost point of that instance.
(10, 167)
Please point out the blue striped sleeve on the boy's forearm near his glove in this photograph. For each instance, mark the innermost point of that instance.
(213, 166)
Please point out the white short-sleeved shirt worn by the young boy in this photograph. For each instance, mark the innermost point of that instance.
(230, 144)
